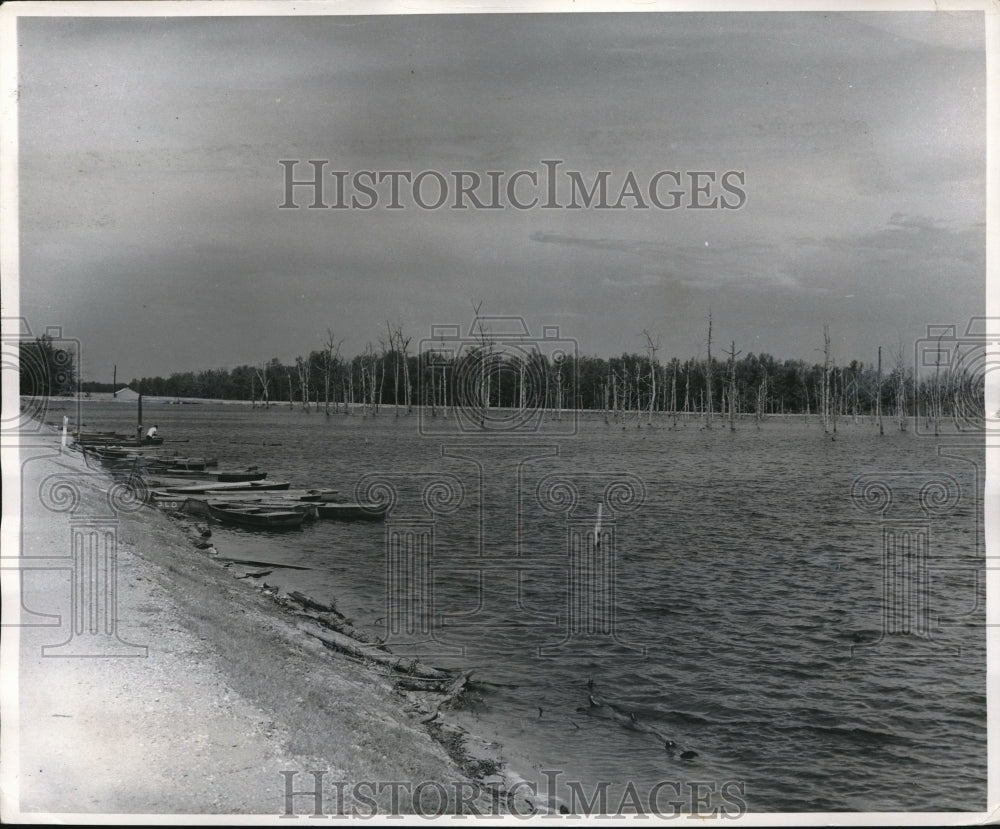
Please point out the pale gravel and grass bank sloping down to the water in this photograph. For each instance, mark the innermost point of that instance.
(232, 704)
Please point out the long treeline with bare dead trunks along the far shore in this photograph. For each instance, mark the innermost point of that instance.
(497, 374)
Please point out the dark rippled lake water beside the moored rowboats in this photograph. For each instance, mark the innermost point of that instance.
(734, 607)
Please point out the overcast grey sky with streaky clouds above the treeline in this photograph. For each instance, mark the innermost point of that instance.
(150, 180)
